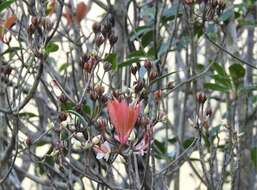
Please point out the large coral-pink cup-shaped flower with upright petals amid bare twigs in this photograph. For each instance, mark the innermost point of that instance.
(123, 117)
